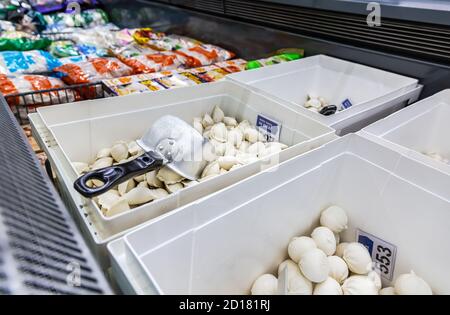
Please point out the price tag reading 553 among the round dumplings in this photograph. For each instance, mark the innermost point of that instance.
(383, 253)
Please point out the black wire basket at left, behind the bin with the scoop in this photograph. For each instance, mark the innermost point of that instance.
(21, 104)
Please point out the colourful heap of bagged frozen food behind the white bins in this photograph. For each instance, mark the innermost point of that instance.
(43, 48)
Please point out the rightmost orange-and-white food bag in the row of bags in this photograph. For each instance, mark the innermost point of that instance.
(204, 55)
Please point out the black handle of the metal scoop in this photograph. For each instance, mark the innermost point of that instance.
(113, 175)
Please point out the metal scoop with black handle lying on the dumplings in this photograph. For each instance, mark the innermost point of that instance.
(169, 142)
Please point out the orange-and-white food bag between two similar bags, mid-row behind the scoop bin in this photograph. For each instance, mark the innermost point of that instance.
(154, 62)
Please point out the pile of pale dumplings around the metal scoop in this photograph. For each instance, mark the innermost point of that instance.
(234, 144)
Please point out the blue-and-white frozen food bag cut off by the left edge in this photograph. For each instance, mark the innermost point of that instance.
(27, 62)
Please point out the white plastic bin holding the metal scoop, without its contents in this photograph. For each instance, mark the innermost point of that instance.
(81, 139)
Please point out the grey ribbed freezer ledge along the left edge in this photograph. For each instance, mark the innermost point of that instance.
(42, 252)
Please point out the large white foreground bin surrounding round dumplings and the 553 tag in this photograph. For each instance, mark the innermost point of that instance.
(222, 243)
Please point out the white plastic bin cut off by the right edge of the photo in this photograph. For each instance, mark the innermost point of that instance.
(418, 130)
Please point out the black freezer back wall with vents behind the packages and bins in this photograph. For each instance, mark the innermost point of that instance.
(251, 39)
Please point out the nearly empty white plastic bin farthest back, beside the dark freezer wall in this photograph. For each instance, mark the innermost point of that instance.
(374, 93)
